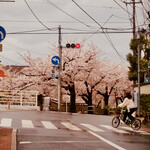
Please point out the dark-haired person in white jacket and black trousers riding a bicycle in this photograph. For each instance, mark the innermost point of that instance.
(129, 104)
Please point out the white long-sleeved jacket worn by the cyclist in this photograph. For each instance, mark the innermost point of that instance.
(127, 103)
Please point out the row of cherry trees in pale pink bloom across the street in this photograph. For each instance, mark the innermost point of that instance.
(84, 71)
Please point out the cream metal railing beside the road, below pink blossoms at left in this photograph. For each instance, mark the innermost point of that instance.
(17, 97)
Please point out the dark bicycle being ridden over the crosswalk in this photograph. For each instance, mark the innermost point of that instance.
(135, 124)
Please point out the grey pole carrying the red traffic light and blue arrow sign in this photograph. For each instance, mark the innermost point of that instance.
(59, 70)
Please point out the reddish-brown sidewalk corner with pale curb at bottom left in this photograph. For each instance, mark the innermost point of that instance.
(7, 139)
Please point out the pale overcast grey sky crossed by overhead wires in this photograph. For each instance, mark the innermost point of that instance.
(79, 20)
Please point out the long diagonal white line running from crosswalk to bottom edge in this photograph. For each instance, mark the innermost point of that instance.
(106, 141)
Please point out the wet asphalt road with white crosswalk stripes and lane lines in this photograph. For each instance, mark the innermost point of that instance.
(65, 131)
